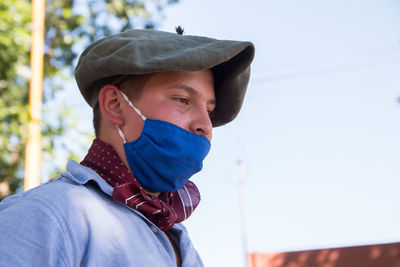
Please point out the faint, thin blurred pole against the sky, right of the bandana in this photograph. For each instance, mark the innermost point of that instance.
(242, 210)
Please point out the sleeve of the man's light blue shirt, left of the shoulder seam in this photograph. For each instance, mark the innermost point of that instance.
(33, 232)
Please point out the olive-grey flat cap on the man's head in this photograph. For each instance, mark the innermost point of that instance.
(136, 52)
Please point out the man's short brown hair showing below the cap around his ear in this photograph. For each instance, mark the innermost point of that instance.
(132, 86)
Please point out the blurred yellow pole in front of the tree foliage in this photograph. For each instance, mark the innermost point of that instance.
(33, 150)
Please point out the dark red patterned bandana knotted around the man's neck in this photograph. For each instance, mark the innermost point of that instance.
(164, 211)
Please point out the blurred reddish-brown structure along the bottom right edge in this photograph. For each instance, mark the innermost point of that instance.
(380, 255)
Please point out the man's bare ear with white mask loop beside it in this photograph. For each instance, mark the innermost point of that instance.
(110, 105)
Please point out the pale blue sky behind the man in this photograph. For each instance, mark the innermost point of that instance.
(317, 134)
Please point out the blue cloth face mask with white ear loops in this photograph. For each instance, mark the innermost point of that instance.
(164, 156)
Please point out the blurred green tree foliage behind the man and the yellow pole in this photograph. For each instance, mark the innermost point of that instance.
(70, 25)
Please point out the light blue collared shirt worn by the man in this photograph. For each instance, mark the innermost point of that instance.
(73, 221)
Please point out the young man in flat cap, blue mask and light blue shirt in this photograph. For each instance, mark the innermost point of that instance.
(156, 97)
